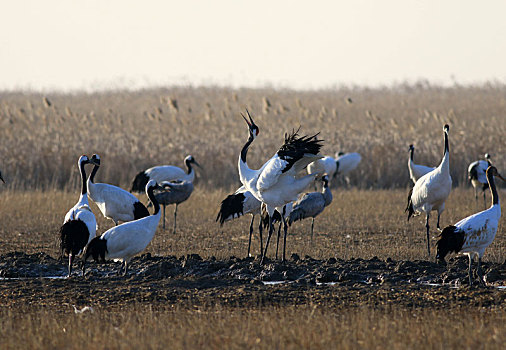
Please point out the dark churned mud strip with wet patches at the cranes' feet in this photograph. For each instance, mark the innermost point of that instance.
(39, 280)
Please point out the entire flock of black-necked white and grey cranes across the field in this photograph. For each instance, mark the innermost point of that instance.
(275, 190)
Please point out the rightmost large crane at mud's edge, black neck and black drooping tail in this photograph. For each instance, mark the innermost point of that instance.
(472, 235)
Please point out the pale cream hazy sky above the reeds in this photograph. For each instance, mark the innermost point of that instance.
(97, 44)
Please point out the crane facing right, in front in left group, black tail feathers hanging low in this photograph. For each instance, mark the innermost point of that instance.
(124, 241)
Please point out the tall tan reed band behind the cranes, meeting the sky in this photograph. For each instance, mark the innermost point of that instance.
(41, 136)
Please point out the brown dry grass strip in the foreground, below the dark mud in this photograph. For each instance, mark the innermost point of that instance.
(216, 327)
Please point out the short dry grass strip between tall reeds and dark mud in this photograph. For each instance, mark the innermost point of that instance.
(359, 224)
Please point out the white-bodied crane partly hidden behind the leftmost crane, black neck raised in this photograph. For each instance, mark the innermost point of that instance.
(115, 203)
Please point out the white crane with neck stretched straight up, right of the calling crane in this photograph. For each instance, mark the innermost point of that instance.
(432, 189)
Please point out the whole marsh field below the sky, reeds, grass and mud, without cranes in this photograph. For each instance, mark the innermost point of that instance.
(364, 282)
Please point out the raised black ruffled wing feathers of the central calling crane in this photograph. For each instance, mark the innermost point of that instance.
(296, 147)
